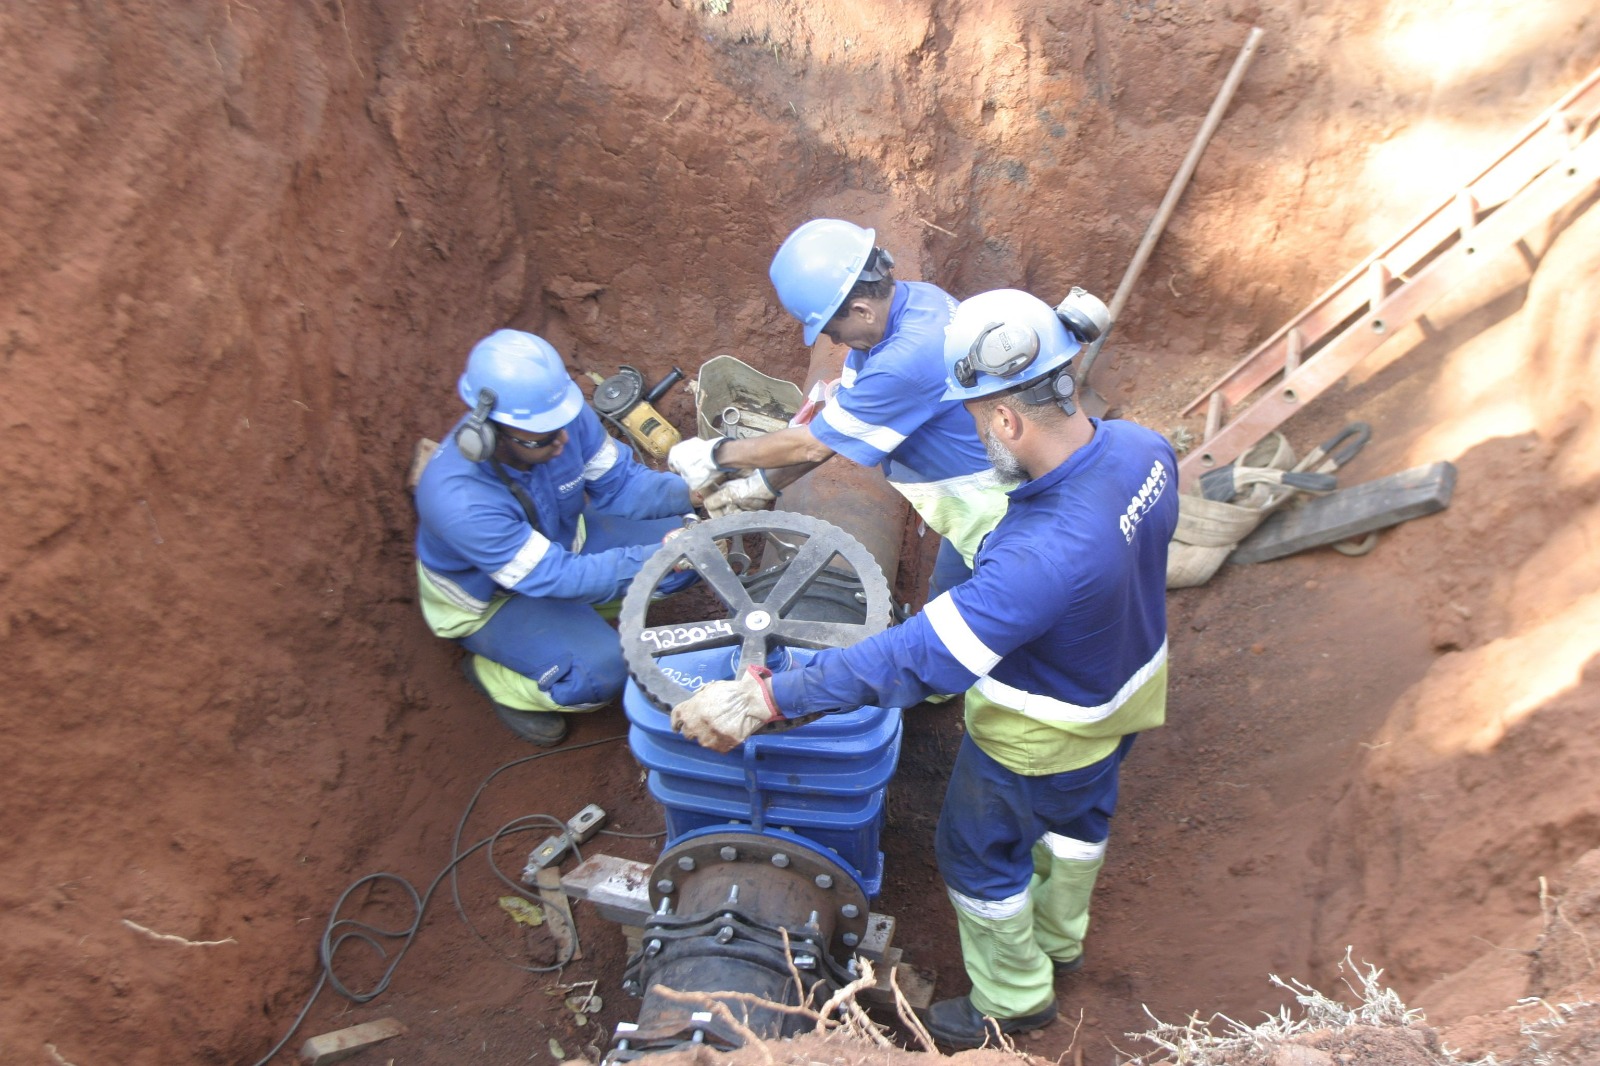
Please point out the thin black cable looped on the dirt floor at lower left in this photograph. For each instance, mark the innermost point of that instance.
(340, 931)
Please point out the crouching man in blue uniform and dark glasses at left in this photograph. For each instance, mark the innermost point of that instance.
(530, 518)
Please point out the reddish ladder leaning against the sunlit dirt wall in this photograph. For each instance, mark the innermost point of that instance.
(1553, 166)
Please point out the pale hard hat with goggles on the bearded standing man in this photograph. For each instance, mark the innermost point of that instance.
(999, 340)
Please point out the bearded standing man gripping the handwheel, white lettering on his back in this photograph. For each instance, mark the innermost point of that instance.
(1060, 641)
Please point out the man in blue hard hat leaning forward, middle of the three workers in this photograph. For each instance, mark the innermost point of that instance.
(889, 411)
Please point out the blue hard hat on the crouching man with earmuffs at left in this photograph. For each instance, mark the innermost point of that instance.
(530, 382)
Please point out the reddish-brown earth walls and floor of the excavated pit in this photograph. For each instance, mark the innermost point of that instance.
(247, 249)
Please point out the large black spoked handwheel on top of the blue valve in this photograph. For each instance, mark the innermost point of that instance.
(756, 625)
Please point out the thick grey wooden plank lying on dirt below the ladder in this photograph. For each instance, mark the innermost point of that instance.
(1351, 513)
